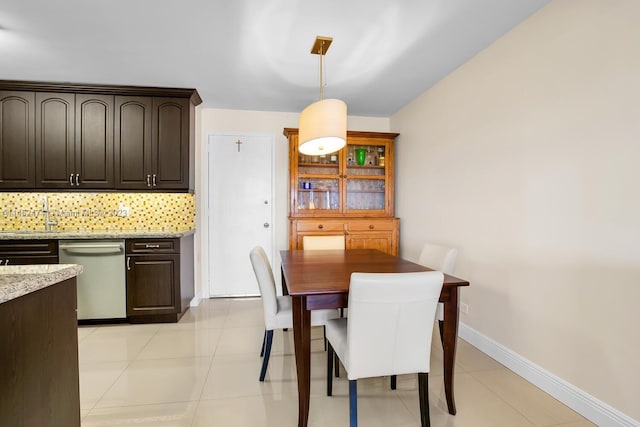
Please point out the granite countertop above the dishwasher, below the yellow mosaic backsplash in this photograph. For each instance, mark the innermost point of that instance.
(94, 234)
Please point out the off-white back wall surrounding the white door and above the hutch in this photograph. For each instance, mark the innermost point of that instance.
(217, 121)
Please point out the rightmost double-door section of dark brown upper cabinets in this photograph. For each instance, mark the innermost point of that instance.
(152, 143)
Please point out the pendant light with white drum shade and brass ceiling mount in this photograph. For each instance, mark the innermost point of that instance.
(323, 124)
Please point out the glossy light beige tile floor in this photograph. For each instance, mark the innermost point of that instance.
(203, 371)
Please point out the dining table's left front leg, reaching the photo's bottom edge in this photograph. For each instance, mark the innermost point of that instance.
(302, 345)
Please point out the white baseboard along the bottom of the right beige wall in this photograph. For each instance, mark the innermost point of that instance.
(586, 405)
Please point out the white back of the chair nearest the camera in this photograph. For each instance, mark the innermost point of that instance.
(390, 316)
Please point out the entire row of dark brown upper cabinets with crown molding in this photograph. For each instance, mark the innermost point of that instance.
(84, 137)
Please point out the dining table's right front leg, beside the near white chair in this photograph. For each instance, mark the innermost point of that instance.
(450, 334)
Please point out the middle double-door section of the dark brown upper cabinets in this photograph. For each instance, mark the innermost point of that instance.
(74, 141)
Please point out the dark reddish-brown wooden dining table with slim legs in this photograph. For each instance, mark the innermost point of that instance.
(320, 280)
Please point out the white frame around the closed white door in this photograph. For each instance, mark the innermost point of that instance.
(203, 208)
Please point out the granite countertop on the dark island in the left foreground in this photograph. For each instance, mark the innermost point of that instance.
(19, 280)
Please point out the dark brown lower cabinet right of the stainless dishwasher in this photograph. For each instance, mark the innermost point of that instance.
(159, 279)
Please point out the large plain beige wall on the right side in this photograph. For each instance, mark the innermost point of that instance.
(527, 158)
